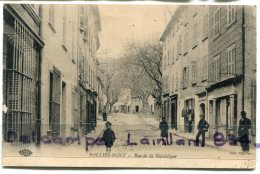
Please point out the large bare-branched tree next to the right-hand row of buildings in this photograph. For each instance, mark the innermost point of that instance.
(147, 57)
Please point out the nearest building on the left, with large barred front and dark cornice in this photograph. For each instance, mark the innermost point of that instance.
(21, 72)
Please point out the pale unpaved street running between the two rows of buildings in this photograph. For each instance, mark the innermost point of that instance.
(138, 128)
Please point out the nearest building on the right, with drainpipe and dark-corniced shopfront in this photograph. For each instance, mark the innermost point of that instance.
(232, 67)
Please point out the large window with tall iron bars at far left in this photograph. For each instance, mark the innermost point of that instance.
(21, 71)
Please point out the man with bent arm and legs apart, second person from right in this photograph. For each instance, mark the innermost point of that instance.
(203, 126)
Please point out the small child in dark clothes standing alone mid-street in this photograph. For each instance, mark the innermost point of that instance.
(109, 136)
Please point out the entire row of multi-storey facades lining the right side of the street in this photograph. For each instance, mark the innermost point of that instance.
(209, 67)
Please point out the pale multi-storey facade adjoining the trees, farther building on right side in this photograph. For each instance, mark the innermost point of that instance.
(185, 56)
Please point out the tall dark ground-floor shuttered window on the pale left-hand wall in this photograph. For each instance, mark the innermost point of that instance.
(55, 91)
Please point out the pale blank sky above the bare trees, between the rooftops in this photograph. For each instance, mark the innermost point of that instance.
(123, 23)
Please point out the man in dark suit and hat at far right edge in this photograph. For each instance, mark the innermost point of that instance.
(244, 126)
